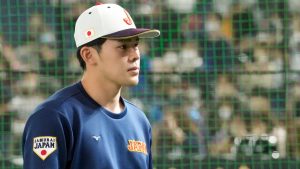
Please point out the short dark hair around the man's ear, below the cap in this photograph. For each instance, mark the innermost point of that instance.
(96, 44)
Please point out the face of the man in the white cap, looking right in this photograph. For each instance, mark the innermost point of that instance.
(118, 62)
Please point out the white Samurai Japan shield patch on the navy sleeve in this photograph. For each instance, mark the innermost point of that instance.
(43, 146)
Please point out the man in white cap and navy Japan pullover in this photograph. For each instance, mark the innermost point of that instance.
(89, 125)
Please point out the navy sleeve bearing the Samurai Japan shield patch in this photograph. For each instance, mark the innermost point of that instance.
(46, 141)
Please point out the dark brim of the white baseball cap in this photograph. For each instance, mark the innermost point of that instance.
(130, 33)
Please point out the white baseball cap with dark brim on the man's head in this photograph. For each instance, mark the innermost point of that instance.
(108, 21)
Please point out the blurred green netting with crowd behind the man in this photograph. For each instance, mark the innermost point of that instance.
(220, 86)
